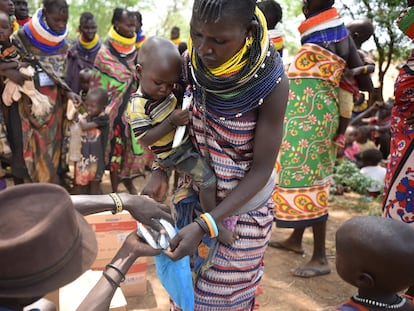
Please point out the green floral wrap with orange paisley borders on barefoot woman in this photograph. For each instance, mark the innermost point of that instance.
(307, 154)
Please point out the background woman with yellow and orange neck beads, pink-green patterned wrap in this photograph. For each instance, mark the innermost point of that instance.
(115, 65)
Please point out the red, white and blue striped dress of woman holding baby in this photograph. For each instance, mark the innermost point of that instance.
(230, 276)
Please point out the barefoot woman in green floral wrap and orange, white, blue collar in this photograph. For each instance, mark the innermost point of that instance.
(307, 154)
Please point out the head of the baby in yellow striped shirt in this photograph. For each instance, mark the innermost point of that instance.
(159, 67)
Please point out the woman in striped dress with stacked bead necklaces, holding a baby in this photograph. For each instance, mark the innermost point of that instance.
(236, 119)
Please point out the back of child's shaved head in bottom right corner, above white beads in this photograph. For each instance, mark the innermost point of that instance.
(375, 254)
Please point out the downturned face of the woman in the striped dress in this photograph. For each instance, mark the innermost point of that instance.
(215, 43)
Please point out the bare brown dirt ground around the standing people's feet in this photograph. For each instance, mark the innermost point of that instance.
(281, 290)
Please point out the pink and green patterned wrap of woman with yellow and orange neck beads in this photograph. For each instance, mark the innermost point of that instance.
(117, 76)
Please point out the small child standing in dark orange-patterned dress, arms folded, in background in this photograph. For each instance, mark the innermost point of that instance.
(95, 126)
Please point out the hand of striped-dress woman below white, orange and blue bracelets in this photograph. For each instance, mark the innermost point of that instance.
(185, 242)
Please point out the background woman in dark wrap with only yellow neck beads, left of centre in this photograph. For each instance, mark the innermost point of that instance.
(82, 54)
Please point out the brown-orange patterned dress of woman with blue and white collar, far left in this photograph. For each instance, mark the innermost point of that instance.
(42, 135)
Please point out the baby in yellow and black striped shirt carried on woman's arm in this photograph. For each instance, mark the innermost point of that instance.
(154, 116)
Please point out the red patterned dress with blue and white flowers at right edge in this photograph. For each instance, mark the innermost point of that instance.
(398, 201)
